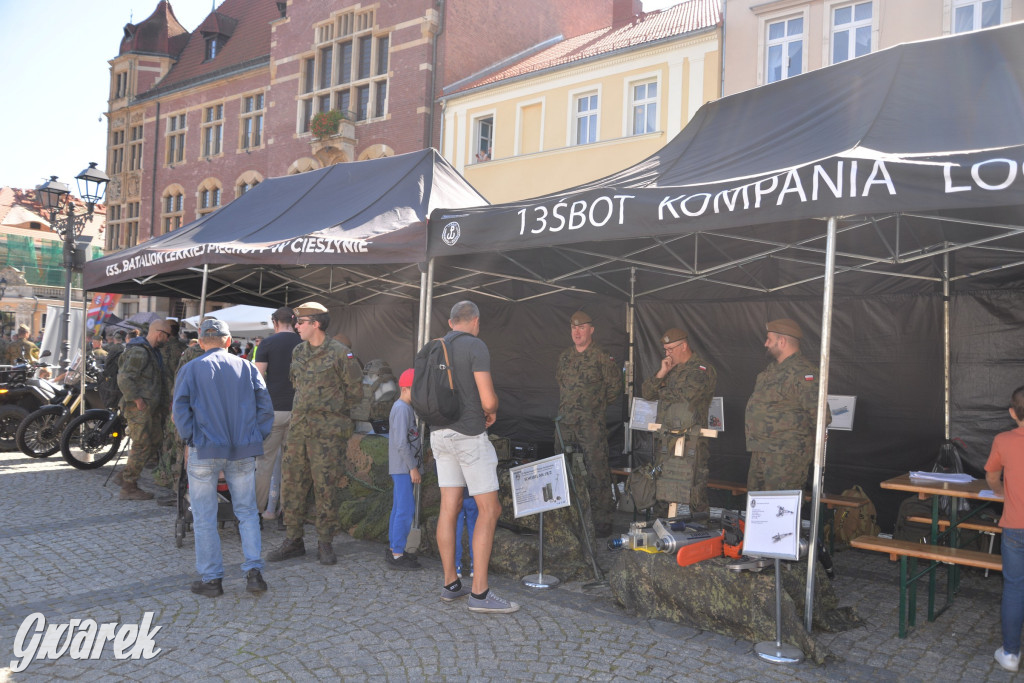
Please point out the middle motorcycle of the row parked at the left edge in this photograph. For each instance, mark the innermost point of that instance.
(39, 435)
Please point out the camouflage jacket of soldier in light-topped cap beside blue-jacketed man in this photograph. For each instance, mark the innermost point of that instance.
(328, 383)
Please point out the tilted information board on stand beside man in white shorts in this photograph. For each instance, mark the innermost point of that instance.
(539, 487)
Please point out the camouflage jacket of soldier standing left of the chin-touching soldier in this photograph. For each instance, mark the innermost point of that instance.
(588, 382)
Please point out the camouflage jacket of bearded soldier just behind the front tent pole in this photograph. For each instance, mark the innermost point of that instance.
(781, 413)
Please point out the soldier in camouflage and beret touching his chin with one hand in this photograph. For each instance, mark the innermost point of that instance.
(684, 388)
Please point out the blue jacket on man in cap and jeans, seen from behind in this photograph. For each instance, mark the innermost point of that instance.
(222, 407)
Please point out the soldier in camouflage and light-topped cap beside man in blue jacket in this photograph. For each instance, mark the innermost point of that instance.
(328, 383)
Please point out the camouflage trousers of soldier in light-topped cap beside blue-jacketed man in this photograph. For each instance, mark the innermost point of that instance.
(317, 465)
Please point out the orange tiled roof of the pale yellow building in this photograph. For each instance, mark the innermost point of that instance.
(680, 20)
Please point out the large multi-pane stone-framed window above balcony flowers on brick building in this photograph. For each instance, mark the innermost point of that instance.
(352, 71)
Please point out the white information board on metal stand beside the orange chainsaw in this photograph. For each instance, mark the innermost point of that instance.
(774, 531)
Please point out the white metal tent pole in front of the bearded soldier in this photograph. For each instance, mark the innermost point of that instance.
(821, 433)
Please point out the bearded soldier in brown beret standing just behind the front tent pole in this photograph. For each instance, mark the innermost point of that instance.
(782, 413)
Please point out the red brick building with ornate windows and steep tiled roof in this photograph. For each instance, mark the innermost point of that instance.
(198, 118)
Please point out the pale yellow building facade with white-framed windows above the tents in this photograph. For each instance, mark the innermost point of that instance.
(553, 121)
